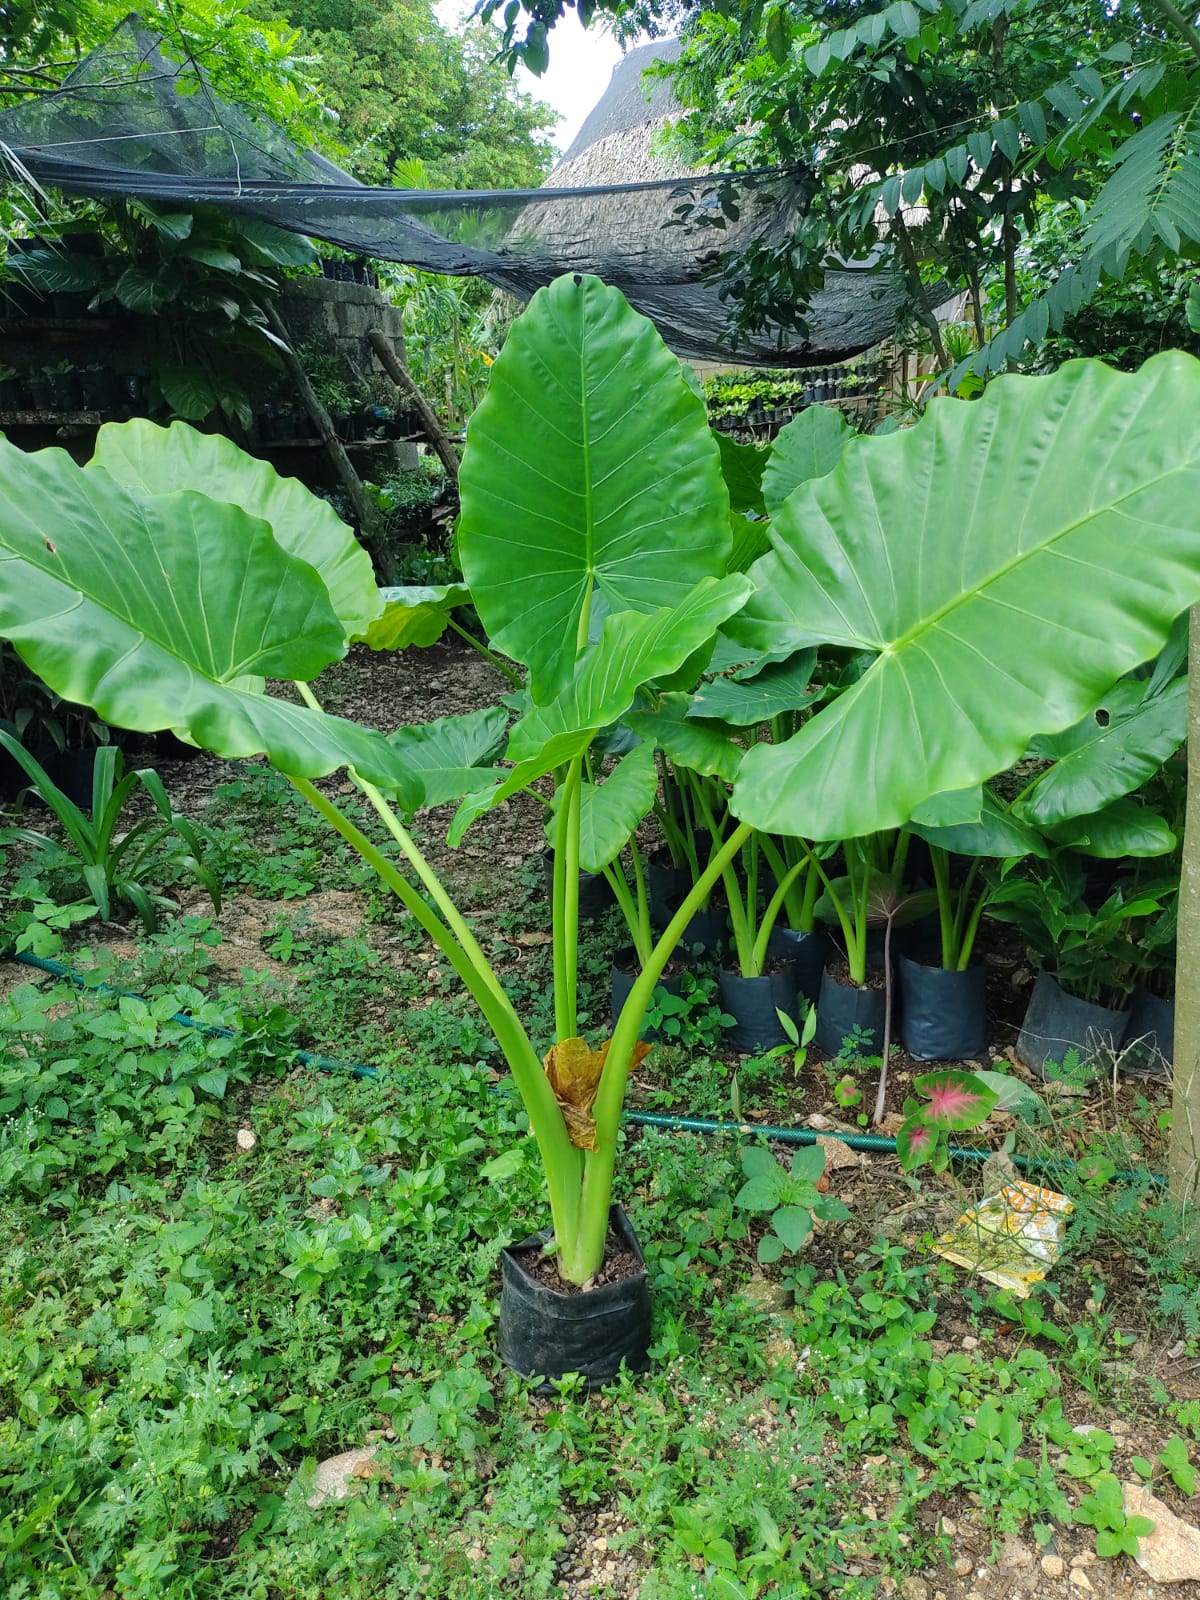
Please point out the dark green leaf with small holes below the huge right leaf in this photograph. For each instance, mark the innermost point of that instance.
(1108, 754)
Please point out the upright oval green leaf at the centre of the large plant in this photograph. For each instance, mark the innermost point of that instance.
(590, 470)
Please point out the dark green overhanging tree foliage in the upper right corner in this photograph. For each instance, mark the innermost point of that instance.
(943, 134)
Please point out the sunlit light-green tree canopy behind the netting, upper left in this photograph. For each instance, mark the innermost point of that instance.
(372, 84)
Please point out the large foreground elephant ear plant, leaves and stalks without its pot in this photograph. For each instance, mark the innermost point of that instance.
(988, 559)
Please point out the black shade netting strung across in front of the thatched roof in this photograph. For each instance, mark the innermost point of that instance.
(134, 124)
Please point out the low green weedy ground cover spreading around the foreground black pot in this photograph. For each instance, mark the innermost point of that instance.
(190, 1326)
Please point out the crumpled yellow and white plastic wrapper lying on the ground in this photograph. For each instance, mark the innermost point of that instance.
(1012, 1238)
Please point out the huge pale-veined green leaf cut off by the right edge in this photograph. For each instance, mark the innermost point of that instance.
(988, 559)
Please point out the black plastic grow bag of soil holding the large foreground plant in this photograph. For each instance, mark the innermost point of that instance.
(550, 1329)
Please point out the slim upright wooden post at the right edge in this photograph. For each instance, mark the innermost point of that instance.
(1185, 1162)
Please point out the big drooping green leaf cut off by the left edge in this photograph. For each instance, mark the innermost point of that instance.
(169, 612)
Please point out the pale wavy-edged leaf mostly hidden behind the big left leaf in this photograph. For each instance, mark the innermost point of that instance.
(154, 462)
